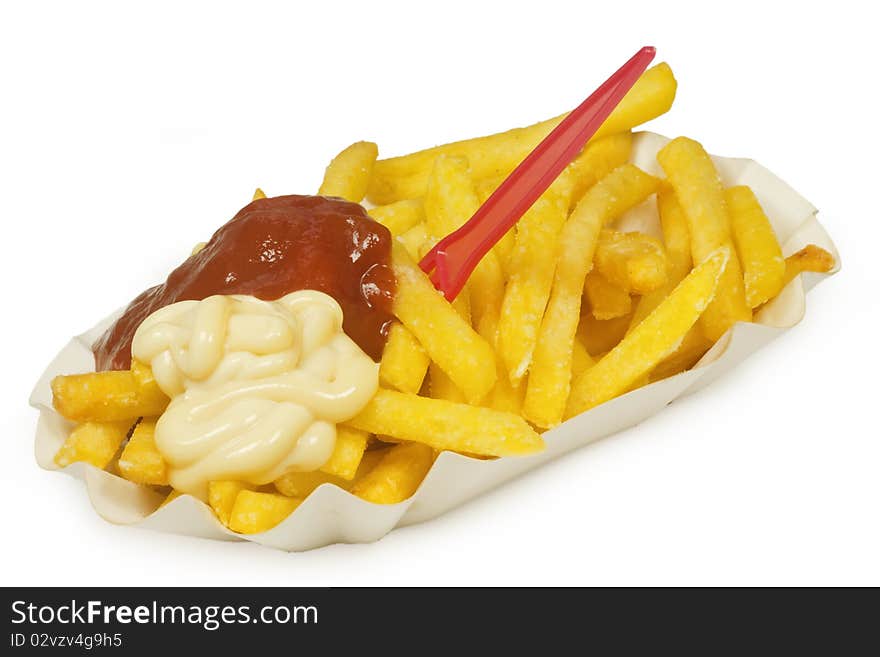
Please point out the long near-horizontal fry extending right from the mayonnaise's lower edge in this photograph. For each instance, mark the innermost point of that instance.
(446, 425)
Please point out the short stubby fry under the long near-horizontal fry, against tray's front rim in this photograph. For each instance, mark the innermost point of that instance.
(397, 475)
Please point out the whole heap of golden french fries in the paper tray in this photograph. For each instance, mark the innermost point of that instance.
(564, 313)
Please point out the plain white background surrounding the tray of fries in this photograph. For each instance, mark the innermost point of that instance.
(130, 134)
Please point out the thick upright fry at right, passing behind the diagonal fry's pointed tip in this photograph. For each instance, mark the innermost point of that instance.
(698, 188)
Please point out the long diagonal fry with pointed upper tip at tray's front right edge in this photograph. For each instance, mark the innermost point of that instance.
(652, 340)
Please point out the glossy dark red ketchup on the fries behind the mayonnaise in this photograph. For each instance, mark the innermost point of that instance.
(272, 247)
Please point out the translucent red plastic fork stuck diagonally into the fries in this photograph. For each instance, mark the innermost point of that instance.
(455, 256)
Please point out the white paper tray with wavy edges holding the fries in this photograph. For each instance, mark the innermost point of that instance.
(331, 515)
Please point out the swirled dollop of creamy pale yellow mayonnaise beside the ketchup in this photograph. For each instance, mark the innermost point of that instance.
(257, 387)
